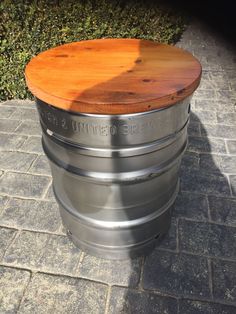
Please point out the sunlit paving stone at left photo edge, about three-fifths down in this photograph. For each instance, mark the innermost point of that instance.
(21, 184)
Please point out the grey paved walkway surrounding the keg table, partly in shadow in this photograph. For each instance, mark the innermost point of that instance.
(193, 271)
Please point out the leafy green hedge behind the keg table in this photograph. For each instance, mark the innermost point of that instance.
(29, 27)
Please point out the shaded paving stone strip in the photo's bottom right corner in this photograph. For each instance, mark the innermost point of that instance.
(199, 307)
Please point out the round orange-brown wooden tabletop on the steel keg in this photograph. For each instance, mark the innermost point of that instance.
(113, 76)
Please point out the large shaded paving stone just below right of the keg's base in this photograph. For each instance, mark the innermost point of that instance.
(176, 274)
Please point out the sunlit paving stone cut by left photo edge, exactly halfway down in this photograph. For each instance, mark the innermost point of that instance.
(16, 161)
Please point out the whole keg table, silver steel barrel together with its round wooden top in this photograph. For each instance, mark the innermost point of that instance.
(114, 116)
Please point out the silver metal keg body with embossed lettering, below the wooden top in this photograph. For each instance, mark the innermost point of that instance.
(115, 177)
